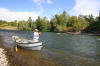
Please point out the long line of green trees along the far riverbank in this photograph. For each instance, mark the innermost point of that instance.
(59, 23)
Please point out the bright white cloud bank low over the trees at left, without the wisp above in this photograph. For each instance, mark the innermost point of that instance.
(7, 15)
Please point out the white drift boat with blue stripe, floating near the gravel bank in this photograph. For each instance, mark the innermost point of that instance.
(27, 44)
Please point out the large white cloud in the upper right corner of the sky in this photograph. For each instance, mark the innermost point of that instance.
(86, 7)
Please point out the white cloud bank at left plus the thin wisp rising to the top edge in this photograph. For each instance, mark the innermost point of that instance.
(7, 15)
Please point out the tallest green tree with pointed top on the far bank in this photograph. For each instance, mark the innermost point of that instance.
(60, 21)
